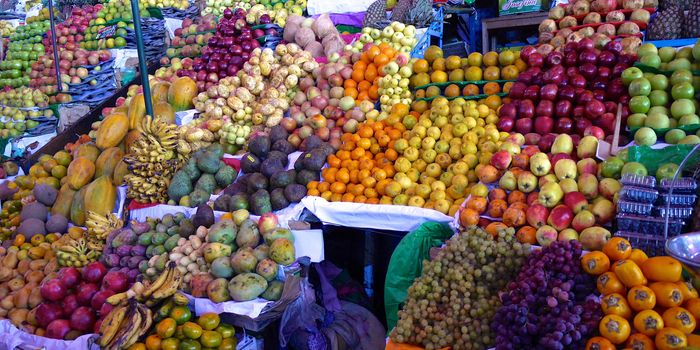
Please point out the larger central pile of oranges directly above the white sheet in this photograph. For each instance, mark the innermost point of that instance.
(362, 170)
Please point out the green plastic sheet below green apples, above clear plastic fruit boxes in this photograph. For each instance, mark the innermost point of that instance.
(652, 159)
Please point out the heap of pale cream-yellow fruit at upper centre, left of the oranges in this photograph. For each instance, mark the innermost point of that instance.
(261, 92)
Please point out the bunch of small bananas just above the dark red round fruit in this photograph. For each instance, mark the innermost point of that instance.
(77, 249)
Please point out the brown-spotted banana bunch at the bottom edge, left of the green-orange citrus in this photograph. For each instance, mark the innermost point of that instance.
(124, 325)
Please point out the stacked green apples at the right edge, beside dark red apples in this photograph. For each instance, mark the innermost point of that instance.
(664, 104)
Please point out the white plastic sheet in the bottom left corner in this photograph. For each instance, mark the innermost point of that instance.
(13, 338)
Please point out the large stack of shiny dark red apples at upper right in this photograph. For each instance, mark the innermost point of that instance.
(567, 92)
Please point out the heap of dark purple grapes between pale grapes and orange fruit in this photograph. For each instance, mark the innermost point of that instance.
(551, 304)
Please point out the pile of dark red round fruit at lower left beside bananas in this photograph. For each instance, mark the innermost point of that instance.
(74, 301)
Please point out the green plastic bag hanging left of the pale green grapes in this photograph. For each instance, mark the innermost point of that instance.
(406, 264)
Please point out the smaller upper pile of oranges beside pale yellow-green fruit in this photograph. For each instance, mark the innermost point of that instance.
(364, 82)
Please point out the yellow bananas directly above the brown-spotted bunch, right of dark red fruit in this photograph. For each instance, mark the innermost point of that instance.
(165, 286)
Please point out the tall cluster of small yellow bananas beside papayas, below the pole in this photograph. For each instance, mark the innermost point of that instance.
(152, 161)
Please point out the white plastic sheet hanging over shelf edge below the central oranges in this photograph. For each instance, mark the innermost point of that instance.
(372, 216)
